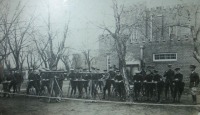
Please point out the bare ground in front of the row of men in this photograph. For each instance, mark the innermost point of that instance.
(22, 105)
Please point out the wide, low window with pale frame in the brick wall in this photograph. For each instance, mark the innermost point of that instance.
(165, 57)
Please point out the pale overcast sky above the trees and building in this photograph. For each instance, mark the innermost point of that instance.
(84, 16)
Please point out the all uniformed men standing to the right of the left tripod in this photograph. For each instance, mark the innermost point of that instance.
(149, 84)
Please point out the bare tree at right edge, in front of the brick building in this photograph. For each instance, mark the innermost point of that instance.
(187, 16)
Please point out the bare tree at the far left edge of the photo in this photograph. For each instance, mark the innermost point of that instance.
(7, 21)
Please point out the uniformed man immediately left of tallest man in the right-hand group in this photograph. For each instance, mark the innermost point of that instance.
(157, 78)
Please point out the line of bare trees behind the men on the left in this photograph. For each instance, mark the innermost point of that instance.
(22, 42)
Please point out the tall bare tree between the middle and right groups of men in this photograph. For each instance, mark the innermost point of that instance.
(121, 35)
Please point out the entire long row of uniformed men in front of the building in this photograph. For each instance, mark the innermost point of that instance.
(149, 84)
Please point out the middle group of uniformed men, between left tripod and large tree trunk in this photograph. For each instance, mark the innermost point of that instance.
(94, 82)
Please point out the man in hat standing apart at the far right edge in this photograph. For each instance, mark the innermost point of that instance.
(194, 81)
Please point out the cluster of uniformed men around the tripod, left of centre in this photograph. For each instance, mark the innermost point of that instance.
(45, 82)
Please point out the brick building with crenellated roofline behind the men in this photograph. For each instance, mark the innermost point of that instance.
(157, 41)
